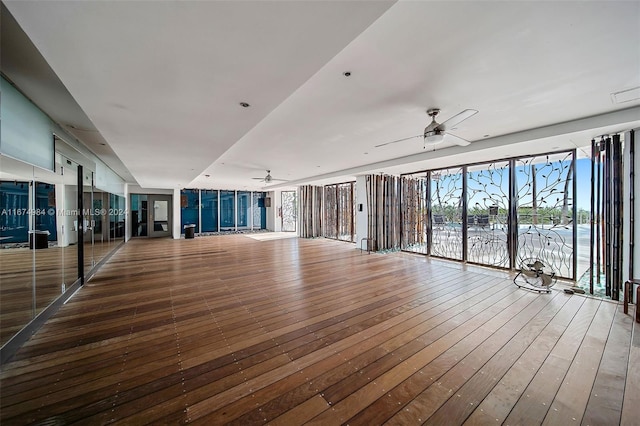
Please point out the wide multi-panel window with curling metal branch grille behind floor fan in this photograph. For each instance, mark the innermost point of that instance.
(469, 211)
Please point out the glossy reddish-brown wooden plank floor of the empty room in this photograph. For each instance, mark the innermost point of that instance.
(231, 330)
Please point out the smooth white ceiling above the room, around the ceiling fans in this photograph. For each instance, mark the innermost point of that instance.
(161, 82)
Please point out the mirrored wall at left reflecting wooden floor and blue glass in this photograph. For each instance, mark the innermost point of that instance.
(40, 233)
